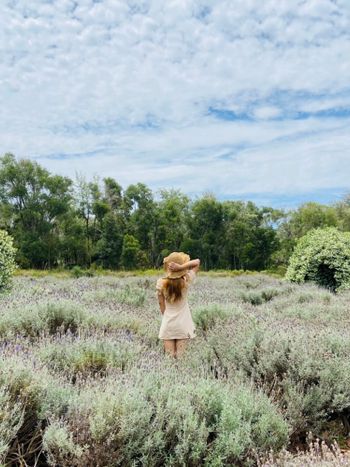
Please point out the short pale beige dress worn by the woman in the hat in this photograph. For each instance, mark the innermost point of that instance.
(177, 321)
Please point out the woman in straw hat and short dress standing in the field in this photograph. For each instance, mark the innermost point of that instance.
(177, 324)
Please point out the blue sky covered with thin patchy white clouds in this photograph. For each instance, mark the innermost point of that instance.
(247, 99)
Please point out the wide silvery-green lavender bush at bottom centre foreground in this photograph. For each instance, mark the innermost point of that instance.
(163, 422)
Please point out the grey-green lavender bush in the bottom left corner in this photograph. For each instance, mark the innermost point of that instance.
(28, 398)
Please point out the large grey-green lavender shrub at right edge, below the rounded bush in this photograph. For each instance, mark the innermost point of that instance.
(307, 374)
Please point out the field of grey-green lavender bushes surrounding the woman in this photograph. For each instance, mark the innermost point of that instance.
(84, 380)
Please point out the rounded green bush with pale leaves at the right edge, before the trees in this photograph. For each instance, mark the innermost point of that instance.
(322, 256)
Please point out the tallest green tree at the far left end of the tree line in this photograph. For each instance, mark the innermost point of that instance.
(34, 201)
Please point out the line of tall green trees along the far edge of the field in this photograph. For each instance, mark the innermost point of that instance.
(58, 222)
